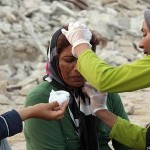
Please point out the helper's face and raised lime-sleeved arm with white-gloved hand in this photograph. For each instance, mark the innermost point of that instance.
(104, 77)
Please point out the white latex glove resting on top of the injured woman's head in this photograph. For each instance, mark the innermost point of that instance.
(77, 34)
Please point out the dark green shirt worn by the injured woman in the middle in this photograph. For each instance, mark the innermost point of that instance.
(60, 134)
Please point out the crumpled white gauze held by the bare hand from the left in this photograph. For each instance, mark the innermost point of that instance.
(59, 96)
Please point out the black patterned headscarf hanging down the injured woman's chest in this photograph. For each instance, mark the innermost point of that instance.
(83, 120)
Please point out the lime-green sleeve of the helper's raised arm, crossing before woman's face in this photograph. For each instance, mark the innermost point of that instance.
(103, 77)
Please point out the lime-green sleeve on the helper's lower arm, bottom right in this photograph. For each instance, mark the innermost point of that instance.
(129, 134)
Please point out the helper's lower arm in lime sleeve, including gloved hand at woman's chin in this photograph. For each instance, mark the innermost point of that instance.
(122, 130)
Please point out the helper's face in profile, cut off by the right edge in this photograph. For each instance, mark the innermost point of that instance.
(145, 42)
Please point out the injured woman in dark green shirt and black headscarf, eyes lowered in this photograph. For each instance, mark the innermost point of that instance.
(78, 129)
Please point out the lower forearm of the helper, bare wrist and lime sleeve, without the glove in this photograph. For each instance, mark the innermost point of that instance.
(123, 131)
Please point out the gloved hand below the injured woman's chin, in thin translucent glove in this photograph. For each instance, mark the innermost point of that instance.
(98, 99)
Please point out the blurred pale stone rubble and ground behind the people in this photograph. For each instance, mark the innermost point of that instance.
(26, 27)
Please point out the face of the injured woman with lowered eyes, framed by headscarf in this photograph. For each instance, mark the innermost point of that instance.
(67, 65)
